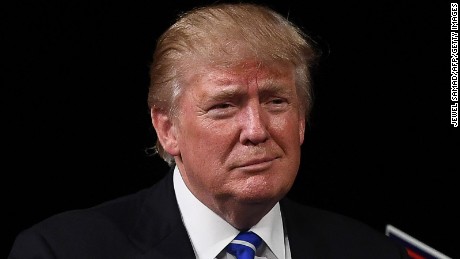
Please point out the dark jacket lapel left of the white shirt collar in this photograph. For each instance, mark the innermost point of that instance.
(160, 232)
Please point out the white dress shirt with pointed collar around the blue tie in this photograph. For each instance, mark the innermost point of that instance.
(210, 234)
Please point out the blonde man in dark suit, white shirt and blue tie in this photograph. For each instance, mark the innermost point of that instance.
(229, 98)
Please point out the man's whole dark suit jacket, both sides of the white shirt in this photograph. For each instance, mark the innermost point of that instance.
(148, 224)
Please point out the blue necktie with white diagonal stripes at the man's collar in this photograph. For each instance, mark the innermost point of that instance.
(244, 245)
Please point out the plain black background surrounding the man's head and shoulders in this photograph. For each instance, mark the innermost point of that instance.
(379, 145)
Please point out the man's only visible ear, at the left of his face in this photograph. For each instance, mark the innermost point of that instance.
(166, 131)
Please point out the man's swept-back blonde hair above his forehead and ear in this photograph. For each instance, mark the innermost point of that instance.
(223, 35)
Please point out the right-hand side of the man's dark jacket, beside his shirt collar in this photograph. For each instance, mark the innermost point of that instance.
(333, 235)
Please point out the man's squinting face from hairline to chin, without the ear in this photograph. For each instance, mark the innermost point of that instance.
(239, 133)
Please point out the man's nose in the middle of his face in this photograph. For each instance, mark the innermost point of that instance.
(253, 125)
